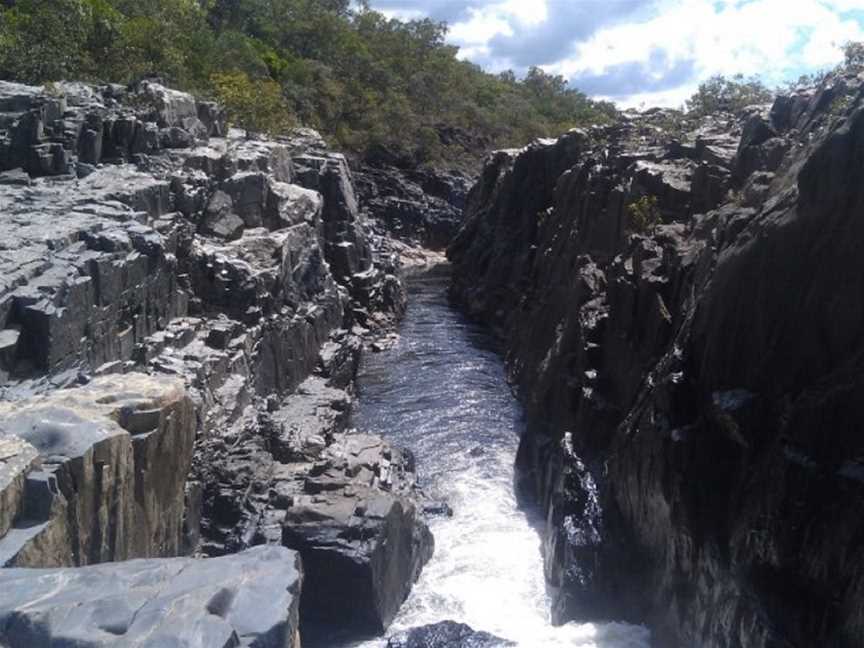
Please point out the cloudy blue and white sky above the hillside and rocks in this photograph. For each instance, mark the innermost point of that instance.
(642, 53)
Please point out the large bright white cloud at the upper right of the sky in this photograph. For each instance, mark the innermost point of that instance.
(775, 39)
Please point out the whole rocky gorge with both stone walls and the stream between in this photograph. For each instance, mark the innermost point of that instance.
(244, 403)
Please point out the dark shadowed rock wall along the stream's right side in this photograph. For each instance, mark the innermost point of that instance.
(682, 320)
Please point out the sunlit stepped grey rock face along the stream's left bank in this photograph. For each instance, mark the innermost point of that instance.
(182, 310)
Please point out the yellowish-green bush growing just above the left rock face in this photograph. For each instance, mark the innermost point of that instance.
(257, 106)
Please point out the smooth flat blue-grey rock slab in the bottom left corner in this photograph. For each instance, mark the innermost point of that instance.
(247, 599)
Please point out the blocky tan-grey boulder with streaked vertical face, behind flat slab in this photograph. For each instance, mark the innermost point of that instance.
(109, 482)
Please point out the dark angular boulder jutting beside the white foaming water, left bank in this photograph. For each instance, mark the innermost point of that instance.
(359, 535)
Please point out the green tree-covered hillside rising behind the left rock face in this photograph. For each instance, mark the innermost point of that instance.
(389, 88)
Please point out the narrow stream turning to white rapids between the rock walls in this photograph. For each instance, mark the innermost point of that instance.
(441, 392)
